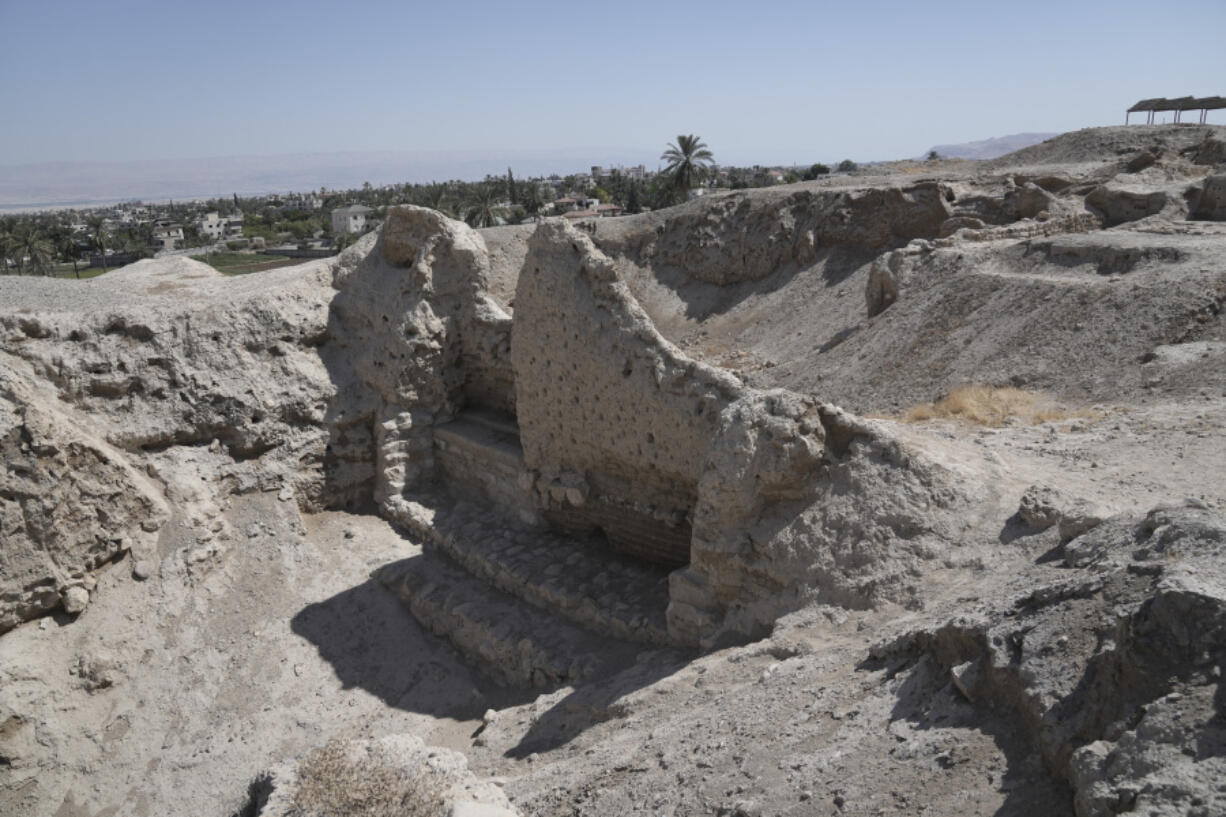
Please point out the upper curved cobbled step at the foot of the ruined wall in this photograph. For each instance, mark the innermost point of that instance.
(577, 578)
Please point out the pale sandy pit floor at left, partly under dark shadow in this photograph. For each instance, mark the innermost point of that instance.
(169, 696)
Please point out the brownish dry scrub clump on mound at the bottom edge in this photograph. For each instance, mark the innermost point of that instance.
(337, 782)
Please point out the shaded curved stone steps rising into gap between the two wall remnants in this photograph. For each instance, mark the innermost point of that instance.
(527, 605)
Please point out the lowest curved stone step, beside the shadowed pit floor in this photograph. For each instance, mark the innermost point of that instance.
(513, 642)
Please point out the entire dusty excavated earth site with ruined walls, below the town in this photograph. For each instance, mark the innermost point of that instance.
(337, 539)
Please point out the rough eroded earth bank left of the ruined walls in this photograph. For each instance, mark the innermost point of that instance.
(106, 393)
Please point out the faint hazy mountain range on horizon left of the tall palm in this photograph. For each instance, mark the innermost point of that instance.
(88, 185)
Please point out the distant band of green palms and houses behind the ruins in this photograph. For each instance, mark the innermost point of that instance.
(64, 244)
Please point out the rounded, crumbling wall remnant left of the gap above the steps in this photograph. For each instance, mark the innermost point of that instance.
(421, 338)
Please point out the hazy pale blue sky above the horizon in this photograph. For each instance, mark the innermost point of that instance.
(761, 83)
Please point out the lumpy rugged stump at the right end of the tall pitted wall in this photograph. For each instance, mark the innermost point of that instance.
(802, 502)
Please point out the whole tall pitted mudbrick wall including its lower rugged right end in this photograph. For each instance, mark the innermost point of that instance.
(773, 500)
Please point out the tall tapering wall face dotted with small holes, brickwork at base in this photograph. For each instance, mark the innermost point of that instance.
(615, 421)
